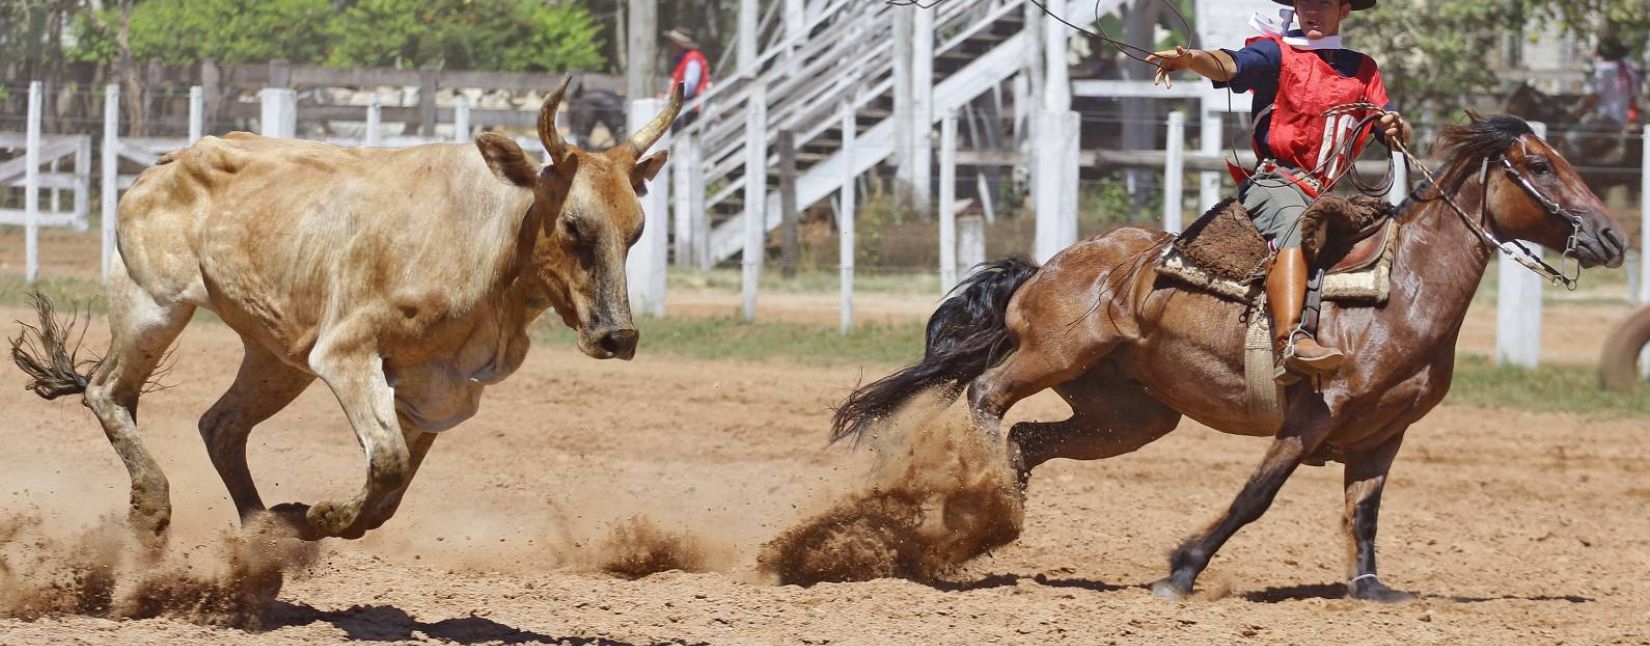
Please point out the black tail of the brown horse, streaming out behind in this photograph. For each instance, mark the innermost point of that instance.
(966, 337)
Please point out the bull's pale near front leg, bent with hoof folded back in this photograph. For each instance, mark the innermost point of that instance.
(357, 378)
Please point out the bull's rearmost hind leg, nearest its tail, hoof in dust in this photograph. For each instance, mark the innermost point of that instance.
(143, 329)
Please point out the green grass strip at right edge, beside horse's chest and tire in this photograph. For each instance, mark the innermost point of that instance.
(1575, 390)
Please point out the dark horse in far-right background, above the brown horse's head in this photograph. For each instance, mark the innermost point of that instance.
(1611, 154)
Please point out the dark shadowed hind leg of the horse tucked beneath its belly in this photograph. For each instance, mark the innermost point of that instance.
(1110, 418)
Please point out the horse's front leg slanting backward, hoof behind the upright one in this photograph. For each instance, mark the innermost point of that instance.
(1293, 444)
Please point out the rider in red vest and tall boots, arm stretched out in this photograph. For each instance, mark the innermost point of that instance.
(1306, 139)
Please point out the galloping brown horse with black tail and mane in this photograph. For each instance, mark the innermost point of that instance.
(1133, 353)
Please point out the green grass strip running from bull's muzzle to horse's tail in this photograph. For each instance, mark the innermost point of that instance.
(728, 339)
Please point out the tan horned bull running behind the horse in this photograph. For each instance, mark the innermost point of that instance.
(403, 279)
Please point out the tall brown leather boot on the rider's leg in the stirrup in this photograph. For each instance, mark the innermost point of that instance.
(1286, 294)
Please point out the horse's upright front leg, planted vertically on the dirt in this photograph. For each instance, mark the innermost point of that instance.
(1365, 479)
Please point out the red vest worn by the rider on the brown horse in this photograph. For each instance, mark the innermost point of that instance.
(1299, 134)
